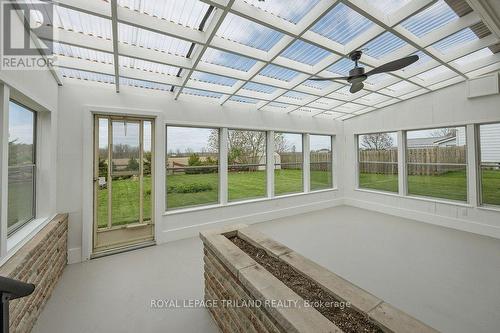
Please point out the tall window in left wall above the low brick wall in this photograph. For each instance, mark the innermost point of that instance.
(22, 167)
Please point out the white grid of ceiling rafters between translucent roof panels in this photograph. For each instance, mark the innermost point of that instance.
(344, 104)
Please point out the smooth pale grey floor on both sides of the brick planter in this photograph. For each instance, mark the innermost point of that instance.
(448, 279)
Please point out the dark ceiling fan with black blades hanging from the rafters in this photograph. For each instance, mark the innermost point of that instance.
(357, 75)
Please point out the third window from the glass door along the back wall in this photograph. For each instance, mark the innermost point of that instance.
(288, 163)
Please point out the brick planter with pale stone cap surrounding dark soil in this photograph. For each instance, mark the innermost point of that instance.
(245, 297)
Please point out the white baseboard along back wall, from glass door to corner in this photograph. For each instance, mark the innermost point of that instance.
(194, 230)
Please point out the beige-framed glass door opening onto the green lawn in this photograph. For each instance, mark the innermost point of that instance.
(123, 182)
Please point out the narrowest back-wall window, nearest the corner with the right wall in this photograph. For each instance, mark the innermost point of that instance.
(320, 157)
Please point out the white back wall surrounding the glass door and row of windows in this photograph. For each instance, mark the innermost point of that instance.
(77, 99)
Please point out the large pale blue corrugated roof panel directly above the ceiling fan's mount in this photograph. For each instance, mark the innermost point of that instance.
(342, 24)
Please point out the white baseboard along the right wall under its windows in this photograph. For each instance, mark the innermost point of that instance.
(444, 221)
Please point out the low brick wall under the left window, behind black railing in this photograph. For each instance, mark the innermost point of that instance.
(40, 261)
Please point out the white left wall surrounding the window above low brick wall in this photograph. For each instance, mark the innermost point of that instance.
(38, 90)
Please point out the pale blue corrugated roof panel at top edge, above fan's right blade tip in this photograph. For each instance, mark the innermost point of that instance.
(430, 19)
